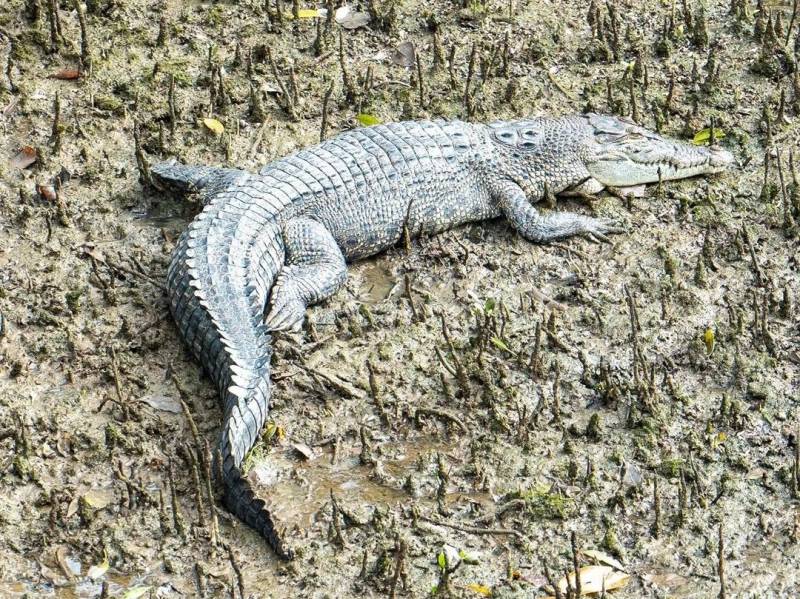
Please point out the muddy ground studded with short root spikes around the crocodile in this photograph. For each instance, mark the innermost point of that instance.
(656, 416)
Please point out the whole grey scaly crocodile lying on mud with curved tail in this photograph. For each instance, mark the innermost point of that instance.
(278, 240)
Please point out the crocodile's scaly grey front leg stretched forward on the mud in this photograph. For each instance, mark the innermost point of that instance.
(533, 226)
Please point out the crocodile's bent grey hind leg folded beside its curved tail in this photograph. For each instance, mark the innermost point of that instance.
(313, 271)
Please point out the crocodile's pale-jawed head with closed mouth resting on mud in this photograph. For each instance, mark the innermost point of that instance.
(619, 153)
